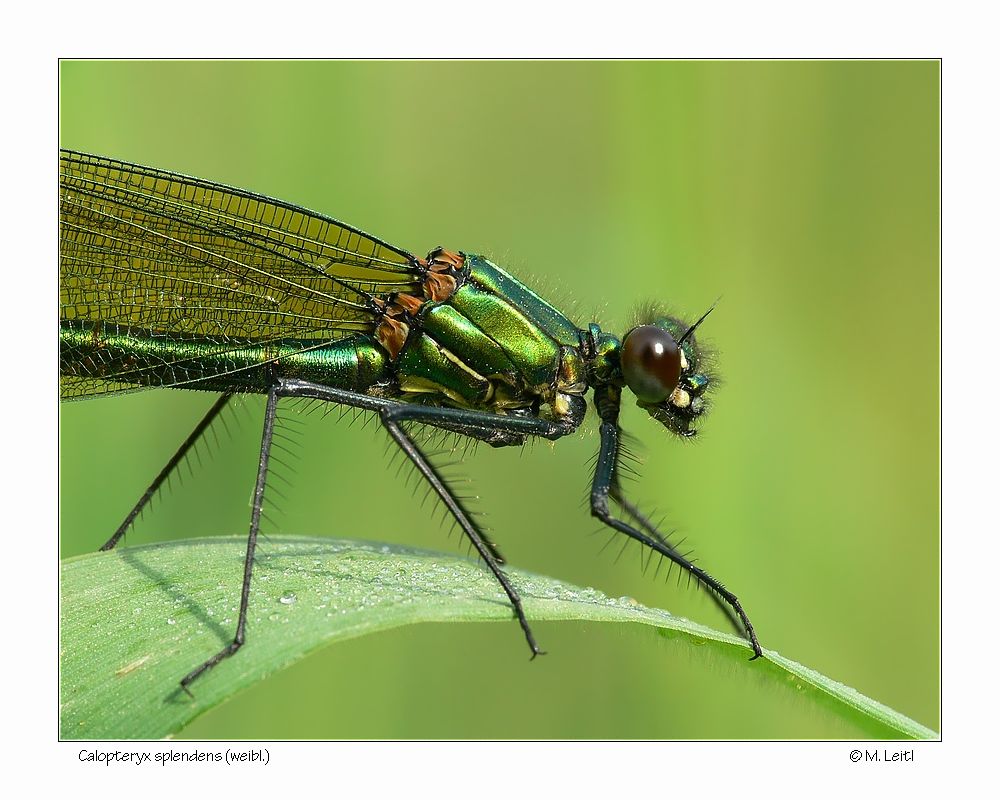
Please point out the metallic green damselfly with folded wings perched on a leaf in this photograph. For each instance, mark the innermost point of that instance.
(173, 281)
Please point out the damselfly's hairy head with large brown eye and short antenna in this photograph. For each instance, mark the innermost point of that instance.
(664, 367)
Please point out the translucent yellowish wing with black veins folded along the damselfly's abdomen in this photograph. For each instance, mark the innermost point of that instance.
(165, 255)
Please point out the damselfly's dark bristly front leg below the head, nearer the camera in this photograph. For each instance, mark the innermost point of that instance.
(606, 485)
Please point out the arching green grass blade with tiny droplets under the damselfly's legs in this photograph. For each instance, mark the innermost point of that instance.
(136, 620)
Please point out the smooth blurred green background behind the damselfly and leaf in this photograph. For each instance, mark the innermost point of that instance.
(804, 193)
